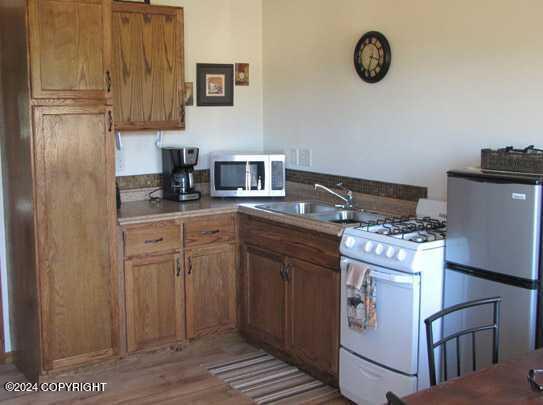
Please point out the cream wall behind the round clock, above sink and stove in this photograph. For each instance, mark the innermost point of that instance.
(465, 75)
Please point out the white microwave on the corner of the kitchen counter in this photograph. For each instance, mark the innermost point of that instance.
(247, 175)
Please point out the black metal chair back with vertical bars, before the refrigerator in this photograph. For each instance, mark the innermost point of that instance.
(431, 345)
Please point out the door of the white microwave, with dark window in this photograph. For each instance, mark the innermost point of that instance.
(239, 176)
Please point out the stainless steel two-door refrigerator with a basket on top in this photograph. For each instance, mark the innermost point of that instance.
(493, 248)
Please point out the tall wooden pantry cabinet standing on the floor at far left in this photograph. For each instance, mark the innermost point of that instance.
(59, 175)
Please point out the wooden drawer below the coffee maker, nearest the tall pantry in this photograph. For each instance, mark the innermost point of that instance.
(151, 239)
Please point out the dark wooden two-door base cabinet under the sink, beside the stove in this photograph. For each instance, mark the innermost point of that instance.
(291, 294)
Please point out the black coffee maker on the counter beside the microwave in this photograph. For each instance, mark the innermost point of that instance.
(178, 173)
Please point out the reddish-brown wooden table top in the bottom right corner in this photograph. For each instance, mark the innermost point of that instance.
(504, 383)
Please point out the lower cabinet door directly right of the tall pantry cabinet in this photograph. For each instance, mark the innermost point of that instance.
(154, 289)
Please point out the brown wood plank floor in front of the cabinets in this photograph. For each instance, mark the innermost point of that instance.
(165, 377)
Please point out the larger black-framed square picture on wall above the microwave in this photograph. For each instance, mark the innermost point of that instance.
(214, 84)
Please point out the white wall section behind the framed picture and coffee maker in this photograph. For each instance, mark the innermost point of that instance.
(216, 31)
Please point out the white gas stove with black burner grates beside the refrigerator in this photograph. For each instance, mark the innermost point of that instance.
(406, 258)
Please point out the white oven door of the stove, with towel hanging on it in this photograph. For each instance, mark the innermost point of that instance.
(394, 343)
